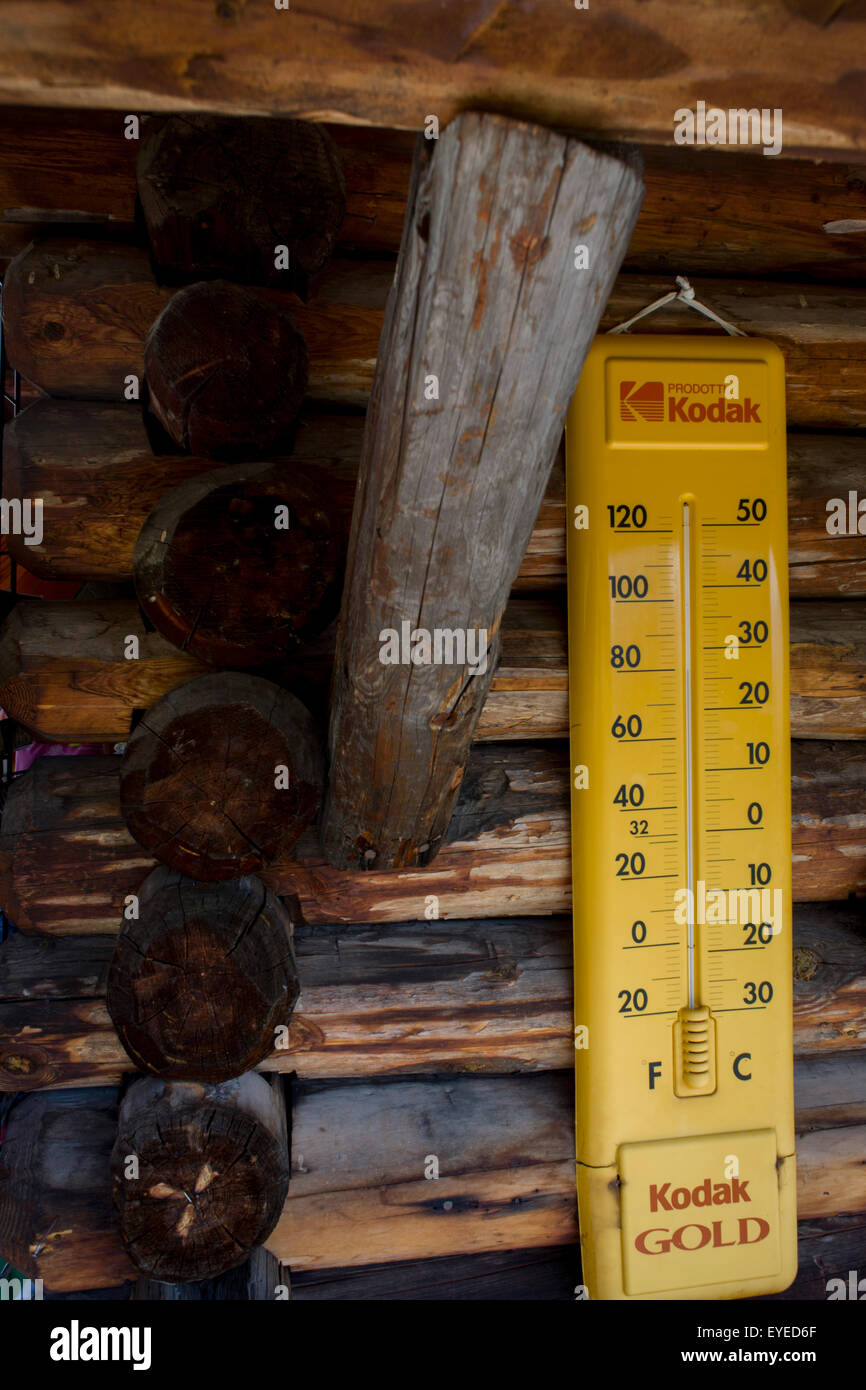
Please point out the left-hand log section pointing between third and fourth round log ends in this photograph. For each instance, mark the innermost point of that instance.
(69, 672)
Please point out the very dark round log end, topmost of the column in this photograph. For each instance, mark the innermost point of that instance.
(220, 197)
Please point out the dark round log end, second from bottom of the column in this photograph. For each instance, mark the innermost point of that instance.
(204, 978)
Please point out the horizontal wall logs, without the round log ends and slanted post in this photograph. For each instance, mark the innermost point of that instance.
(437, 1001)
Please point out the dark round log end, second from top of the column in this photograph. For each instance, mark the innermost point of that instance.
(226, 372)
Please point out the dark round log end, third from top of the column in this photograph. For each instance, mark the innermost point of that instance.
(241, 565)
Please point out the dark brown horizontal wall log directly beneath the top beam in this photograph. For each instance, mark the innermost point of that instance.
(704, 208)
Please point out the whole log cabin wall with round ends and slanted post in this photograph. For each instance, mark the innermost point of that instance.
(302, 913)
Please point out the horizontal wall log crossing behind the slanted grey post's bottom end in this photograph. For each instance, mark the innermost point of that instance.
(67, 861)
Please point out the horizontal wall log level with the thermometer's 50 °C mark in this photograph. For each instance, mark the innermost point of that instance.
(88, 459)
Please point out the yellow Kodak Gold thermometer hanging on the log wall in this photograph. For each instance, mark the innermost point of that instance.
(682, 818)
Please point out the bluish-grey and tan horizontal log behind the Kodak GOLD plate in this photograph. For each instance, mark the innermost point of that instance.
(361, 1191)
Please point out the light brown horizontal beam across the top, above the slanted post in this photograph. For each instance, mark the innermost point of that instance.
(614, 72)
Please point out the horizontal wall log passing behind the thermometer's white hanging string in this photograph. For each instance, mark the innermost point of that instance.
(81, 334)
